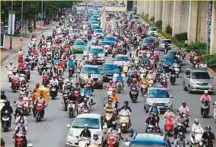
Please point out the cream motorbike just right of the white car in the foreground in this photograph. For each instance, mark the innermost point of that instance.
(108, 119)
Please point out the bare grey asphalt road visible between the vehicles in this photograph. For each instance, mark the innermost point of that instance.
(52, 131)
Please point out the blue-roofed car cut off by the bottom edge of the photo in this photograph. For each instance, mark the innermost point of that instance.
(147, 139)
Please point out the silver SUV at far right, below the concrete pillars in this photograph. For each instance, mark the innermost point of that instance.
(197, 80)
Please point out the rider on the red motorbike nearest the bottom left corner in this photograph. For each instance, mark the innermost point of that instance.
(21, 129)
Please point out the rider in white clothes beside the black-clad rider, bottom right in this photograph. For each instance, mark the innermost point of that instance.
(197, 130)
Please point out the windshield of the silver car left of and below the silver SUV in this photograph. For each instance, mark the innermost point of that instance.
(158, 93)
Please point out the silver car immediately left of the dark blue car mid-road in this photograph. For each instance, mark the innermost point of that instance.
(95, 72)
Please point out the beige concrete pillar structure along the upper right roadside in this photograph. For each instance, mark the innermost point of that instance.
(183, 16)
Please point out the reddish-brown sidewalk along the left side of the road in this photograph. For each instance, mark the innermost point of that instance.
(17, 44)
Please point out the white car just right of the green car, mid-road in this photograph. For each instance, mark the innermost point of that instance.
(100, 51)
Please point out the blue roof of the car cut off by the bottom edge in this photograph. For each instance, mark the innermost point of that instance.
(149, 138)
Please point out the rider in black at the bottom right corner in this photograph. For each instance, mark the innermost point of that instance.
(209, 136)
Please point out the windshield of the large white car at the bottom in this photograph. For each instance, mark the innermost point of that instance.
(93, 123)
